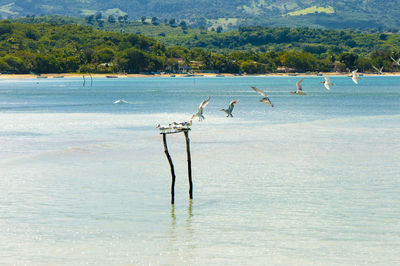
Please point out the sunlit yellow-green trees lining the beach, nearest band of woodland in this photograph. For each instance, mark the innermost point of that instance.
(50, 48)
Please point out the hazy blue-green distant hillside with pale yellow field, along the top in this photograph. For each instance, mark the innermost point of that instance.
(319, 13)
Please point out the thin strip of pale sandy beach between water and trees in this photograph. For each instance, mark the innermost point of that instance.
(75, 75)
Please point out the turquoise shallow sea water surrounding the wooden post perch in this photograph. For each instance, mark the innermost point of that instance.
(314, 180)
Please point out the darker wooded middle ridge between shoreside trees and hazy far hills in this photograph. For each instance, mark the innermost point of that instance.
(320, 42)
